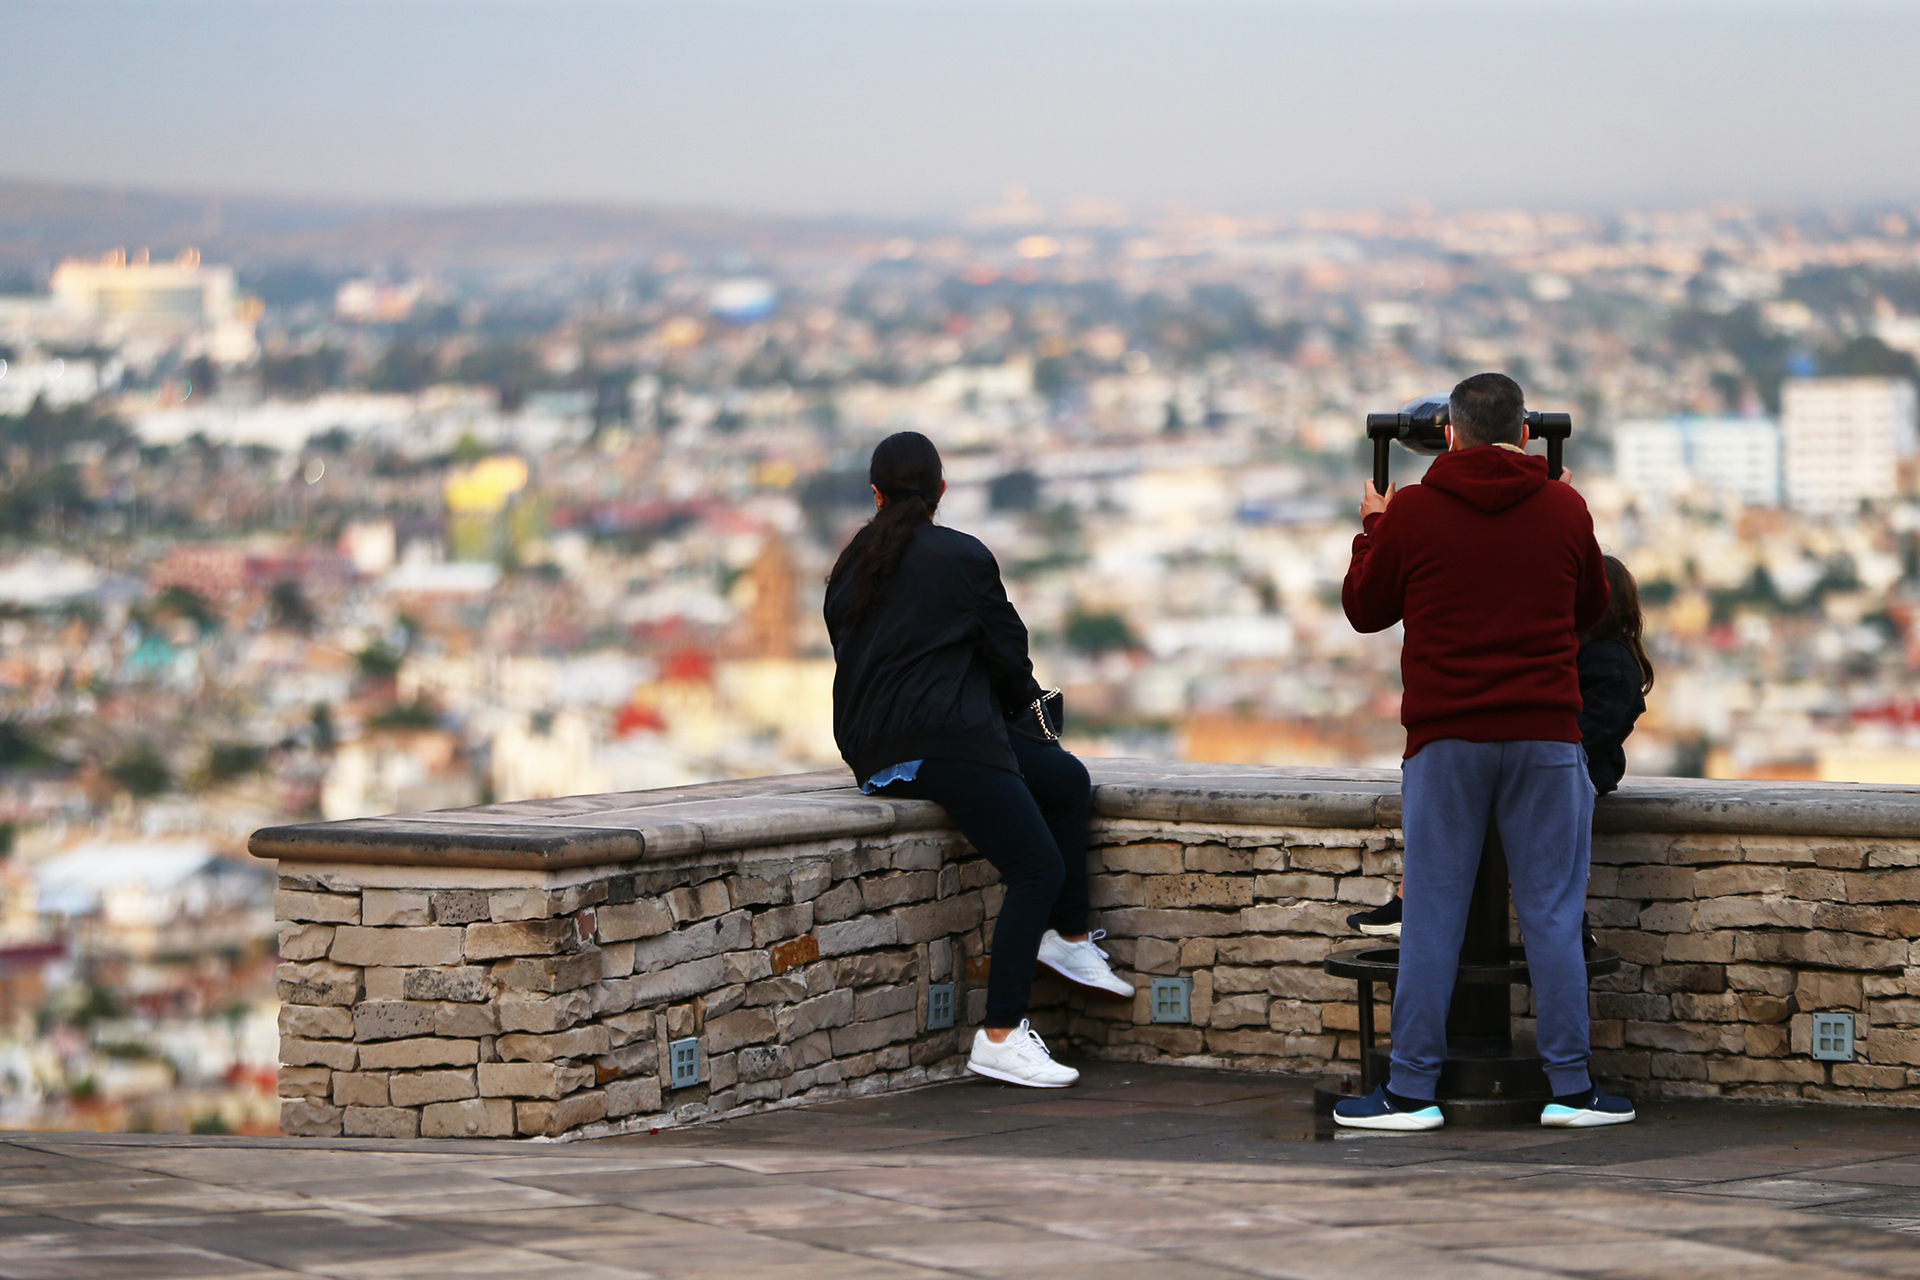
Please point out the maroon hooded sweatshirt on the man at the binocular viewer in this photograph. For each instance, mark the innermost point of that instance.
(1495, 571)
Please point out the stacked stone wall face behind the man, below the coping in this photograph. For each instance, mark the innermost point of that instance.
(1729, 947)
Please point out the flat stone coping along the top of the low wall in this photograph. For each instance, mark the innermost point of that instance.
(794, 809)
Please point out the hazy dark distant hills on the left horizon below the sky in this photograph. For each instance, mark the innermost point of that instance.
(41, 224)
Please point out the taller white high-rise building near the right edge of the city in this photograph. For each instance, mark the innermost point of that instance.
(1842, 440)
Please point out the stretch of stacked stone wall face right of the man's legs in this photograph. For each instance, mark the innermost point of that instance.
(1733, 943)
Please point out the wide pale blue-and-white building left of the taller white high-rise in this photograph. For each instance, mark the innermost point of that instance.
(1727, 456)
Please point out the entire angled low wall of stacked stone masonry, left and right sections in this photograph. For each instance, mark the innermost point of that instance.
(423, 997)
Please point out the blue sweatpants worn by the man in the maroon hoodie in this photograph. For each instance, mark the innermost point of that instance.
(1545, 805)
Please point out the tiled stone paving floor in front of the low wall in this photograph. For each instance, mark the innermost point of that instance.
(1141, 1173)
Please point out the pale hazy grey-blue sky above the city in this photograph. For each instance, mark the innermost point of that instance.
(934, 107)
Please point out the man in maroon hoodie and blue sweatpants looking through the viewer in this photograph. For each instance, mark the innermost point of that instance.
(1495, 571)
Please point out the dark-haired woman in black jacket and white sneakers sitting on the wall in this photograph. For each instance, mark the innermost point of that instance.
(930, 667)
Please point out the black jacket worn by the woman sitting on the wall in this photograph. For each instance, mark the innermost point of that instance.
(934, 669)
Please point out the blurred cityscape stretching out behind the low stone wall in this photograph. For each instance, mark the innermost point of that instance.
(329, 513)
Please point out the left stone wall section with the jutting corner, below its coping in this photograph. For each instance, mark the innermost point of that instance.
(418, 1005)
